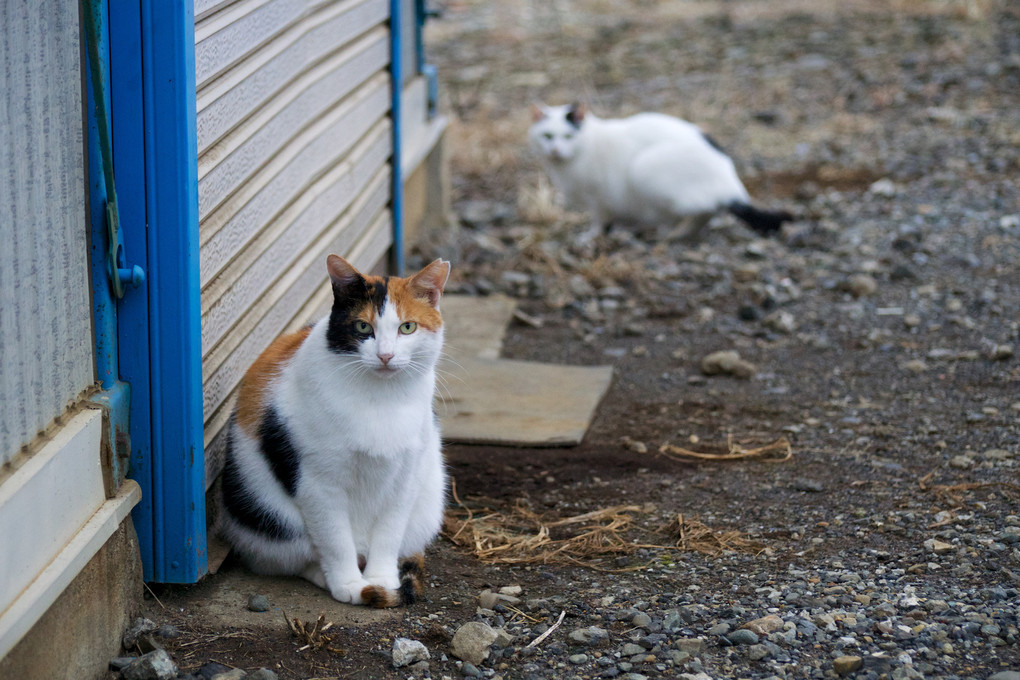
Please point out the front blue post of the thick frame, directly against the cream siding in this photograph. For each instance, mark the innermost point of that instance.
(175, 333)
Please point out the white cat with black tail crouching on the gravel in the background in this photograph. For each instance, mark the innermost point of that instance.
(648, 170)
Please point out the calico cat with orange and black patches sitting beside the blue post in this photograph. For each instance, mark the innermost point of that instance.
(334, 470)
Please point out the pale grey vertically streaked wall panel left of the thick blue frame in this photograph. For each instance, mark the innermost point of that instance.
(46, 345)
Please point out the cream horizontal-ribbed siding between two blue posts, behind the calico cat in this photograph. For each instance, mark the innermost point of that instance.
(294, 139)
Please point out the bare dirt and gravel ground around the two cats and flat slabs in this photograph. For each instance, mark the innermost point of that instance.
(883, 330)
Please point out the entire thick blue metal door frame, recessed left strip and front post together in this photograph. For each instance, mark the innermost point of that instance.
(152, 92)
